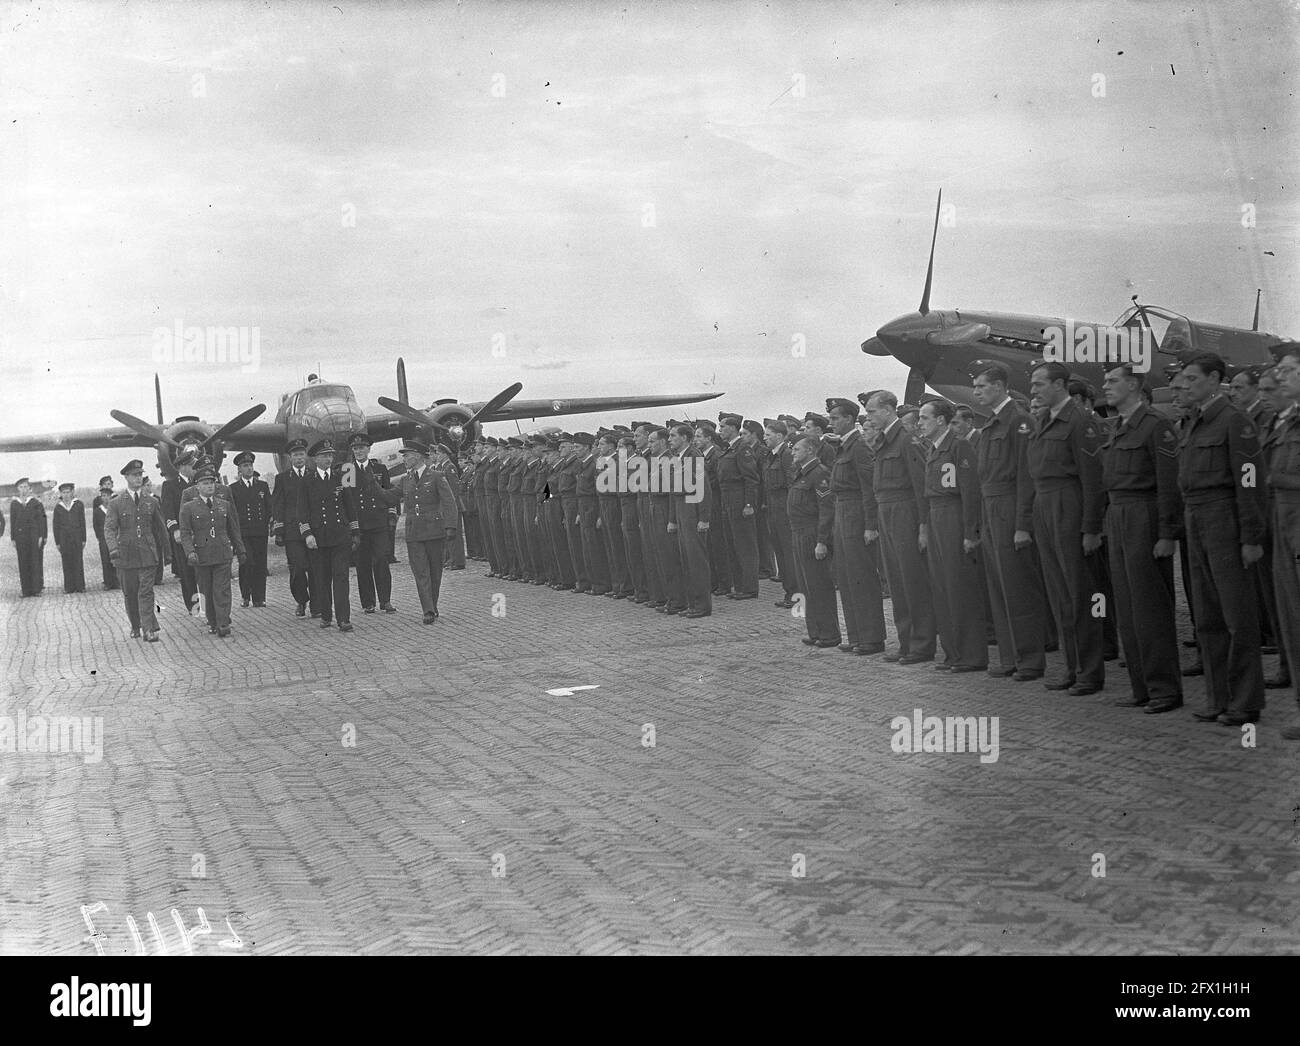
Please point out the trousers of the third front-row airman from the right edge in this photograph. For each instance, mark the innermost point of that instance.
(1145, 600)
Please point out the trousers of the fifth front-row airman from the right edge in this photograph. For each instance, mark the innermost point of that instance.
(1015, 589)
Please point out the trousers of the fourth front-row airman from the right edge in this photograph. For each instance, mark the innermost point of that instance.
(1071, 583)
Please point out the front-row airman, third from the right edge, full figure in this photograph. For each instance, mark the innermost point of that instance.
(1145, 524)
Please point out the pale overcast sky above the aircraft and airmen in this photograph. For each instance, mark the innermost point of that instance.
(632, 198)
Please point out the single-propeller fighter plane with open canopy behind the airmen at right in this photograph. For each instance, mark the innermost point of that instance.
(939, 346)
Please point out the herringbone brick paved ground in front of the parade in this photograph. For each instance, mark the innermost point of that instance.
(764, 750)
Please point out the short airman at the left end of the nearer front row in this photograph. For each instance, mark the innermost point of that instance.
(811, 509)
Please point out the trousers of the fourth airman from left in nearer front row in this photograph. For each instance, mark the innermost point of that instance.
(960, 585)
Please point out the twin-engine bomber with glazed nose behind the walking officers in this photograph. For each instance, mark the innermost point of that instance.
(319, 410)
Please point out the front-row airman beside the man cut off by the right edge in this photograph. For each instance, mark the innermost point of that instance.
(1224, 518)
